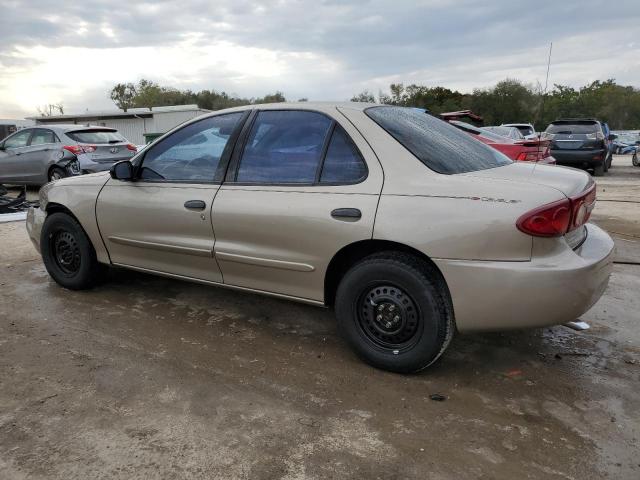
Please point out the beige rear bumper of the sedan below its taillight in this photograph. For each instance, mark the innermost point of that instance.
(551, 289)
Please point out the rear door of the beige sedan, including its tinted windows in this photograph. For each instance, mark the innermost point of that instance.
(304, 185)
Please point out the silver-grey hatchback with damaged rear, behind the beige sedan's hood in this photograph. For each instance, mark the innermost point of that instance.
(34, 156)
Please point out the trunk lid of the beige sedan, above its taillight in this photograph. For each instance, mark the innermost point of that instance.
(569, 181)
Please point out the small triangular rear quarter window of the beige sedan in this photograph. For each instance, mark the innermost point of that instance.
(343, 163)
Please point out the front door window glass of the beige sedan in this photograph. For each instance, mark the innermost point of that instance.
(191, 154)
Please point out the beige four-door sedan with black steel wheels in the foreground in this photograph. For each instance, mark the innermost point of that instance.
(408, 227)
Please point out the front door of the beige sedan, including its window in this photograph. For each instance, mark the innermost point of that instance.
(161, 221)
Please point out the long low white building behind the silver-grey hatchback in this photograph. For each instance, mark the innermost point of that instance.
(132, 124)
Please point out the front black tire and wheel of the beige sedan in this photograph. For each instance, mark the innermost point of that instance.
(68, 254)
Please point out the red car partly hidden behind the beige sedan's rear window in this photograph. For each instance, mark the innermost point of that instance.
(536, 150)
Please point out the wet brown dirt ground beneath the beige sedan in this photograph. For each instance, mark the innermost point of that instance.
(152, 378)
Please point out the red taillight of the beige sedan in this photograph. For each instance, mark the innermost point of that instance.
(558, 218)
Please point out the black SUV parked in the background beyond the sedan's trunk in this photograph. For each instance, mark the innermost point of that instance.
(580, 143)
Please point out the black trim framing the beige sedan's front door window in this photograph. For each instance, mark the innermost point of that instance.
(218, 175)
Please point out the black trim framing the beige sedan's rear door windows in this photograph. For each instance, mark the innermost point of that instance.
(234, 167)
